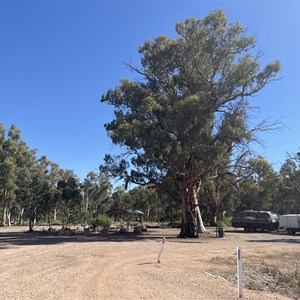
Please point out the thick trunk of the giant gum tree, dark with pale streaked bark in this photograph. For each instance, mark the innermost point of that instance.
(192, 224)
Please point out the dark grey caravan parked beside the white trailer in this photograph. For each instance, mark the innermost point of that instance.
(255, 220)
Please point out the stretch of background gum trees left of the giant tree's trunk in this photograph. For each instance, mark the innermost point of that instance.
(35, 190)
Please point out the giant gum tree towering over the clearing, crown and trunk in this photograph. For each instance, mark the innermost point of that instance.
(188, 112)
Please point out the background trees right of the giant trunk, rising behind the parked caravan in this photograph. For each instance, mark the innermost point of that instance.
(258, 187)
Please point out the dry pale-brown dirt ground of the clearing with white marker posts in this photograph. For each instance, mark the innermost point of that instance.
(43, 265)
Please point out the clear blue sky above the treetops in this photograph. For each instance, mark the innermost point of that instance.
(58, 57)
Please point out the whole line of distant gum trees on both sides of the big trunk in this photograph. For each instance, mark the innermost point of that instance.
(35, 190)
